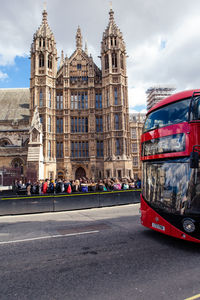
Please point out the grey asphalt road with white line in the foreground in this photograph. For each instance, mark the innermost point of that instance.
(102, 254)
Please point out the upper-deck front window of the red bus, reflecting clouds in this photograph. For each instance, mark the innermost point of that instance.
(174, 113)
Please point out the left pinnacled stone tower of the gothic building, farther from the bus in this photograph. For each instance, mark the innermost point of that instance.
(43, 90)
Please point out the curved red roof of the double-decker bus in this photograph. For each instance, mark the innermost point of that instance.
(173, 98)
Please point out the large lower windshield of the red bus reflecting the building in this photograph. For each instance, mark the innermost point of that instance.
(172, 186)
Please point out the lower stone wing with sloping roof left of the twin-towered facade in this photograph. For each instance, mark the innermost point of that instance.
(14, 129)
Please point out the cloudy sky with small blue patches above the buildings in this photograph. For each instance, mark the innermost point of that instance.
(162, 39)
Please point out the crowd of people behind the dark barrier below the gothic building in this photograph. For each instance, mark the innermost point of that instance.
(78, 185)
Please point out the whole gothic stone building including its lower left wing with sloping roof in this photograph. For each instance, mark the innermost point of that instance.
(74, 119)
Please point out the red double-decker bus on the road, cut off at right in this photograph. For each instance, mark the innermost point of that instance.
(170, 147)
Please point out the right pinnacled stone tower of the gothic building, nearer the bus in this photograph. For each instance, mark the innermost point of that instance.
(115, 102)
